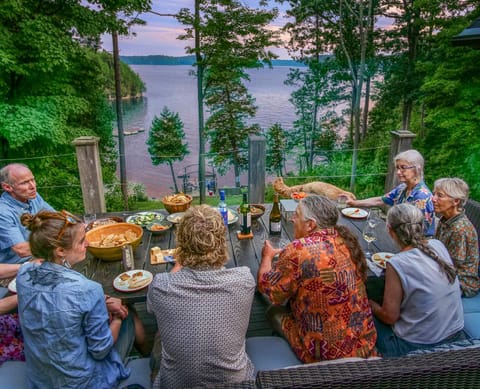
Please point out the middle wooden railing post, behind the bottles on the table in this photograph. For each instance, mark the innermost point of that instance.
(256, 171)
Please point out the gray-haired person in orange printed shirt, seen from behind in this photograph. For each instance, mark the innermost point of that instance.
(318, 286)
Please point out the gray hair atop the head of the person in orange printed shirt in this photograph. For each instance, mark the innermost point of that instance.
(319, 209)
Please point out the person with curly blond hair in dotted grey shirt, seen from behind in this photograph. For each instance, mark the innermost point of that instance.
(202, 308)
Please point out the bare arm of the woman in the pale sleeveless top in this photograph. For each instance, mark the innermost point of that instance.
(389, 311)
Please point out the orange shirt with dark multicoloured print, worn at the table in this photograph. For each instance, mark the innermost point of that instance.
(331, 316)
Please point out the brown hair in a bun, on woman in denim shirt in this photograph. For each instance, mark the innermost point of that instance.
(46, 232)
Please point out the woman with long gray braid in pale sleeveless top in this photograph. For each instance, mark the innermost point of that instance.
(421, 304)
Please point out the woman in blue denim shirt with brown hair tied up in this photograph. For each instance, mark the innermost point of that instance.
(69, 341)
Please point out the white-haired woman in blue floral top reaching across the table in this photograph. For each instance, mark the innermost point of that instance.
(412, 189)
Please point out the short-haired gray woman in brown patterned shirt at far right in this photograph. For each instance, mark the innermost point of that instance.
(457, 232)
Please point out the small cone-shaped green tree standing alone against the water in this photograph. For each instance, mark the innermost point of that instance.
(165, 140)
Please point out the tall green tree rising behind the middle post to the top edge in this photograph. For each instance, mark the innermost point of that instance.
(230, 38)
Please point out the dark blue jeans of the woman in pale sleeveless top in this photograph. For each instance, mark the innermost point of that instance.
(391, 346)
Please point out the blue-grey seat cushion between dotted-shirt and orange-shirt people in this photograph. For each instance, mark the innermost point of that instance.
(270, 353)
